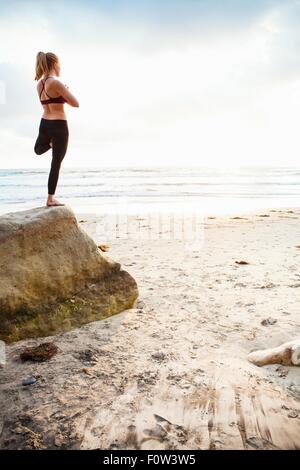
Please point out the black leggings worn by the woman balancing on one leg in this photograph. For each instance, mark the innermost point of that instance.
(56, 130)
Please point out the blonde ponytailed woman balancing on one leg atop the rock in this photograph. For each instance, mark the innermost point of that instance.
(53, 130)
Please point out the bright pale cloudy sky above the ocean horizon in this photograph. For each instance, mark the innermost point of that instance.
(182, 82)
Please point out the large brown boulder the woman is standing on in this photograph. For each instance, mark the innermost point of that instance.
(53, 277)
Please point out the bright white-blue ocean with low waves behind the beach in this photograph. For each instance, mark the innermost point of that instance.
(142, 189)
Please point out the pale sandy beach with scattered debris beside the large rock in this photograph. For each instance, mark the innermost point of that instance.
(172, 372)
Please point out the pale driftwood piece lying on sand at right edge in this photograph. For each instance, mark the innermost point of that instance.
(287, 354)
